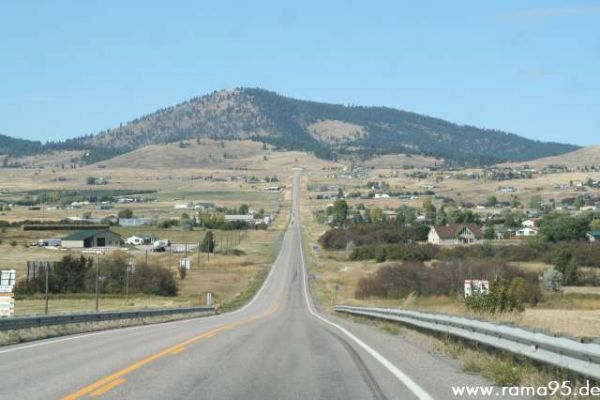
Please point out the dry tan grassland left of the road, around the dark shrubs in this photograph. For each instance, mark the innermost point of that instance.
(229, 277)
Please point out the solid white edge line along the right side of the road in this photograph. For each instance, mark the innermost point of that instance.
(401, 376)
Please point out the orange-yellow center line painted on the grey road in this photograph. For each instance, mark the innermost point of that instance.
(98, 388)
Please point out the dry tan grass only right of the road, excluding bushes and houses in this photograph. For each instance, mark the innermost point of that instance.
(576, 311)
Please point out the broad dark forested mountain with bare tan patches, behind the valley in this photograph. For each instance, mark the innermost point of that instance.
(328, 130)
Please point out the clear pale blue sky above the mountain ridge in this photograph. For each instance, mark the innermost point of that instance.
(69, 68)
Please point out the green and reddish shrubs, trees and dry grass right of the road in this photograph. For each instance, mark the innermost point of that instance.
(367, 254)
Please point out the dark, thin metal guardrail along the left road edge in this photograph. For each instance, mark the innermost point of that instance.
(12, 323)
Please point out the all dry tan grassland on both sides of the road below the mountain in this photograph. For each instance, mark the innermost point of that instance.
(226, 184)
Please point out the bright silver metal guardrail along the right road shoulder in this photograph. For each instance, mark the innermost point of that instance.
(582, 358)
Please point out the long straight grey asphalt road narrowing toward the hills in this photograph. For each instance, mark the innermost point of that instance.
(276, 347)
